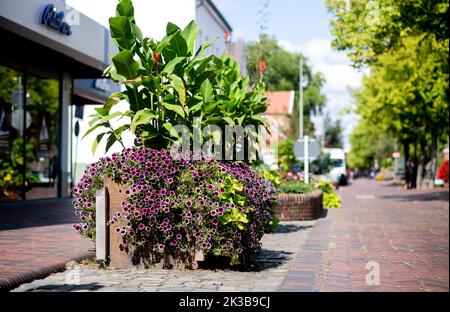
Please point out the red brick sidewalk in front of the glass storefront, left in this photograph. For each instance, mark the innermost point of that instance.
(37, 239)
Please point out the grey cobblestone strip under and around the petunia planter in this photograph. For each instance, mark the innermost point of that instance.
(279, 251)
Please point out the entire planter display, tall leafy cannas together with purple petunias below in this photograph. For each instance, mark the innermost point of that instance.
(173, 208)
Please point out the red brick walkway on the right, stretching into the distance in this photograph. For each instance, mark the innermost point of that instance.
(405, 232)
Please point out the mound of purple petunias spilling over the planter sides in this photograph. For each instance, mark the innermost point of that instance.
(222, 209)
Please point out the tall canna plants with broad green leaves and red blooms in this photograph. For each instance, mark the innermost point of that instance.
(168, 83)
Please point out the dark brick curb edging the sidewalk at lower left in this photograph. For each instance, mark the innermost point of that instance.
(7, 284)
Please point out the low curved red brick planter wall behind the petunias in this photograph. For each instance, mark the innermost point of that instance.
(300, 207)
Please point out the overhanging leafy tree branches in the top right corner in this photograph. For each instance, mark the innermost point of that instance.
(368, 29)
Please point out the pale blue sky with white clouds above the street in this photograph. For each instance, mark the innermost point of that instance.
(299, 25)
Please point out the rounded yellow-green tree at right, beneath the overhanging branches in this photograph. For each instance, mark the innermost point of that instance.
(406, 96)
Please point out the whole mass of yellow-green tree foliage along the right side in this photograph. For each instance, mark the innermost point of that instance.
(405, 97)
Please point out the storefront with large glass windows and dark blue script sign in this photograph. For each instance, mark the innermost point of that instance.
(51, 60)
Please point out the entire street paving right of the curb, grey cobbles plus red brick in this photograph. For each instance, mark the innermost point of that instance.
(405, 232)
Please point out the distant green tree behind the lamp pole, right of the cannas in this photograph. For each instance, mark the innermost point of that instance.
(282, 73)
